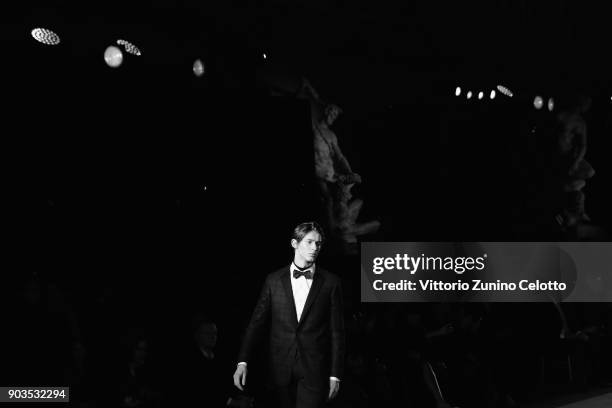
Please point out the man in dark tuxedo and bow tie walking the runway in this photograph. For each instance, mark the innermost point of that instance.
(300, 313)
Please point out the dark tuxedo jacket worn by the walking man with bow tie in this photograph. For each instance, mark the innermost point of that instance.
(317, 339)
